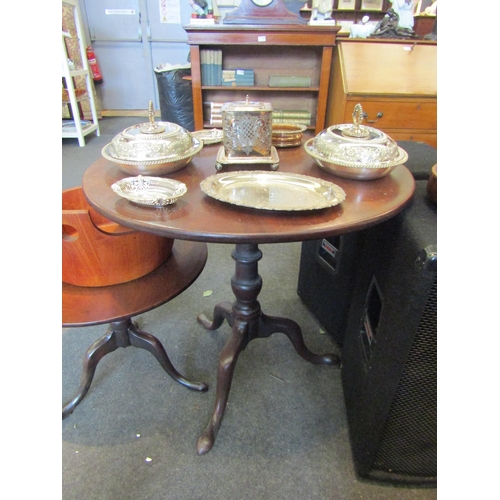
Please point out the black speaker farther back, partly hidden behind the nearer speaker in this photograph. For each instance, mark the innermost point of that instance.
(327, 267)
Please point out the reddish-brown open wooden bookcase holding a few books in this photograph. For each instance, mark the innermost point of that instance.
(270, 50)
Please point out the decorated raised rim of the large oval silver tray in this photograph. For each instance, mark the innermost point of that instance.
(207, 186)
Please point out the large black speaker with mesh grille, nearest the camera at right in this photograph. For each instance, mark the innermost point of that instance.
(389, 356)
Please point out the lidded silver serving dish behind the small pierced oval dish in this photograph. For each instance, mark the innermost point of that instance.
(154, 148)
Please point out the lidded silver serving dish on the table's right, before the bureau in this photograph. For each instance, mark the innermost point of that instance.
(355, 151)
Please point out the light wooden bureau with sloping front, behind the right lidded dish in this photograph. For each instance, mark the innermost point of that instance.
(395, 83)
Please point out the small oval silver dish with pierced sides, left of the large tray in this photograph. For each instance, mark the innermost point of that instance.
(150, 191)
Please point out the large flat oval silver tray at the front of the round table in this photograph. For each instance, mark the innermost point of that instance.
(273, 190)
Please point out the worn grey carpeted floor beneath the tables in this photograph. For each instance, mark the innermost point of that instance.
(284, 433)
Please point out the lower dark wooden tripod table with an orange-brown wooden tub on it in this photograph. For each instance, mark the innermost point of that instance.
(117, 304)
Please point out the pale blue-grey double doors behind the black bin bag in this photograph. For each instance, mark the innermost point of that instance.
(130, 38)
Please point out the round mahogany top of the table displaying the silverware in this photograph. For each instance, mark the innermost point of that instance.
(198, 217)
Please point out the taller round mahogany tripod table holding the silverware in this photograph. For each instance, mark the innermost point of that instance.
(198, 217)
